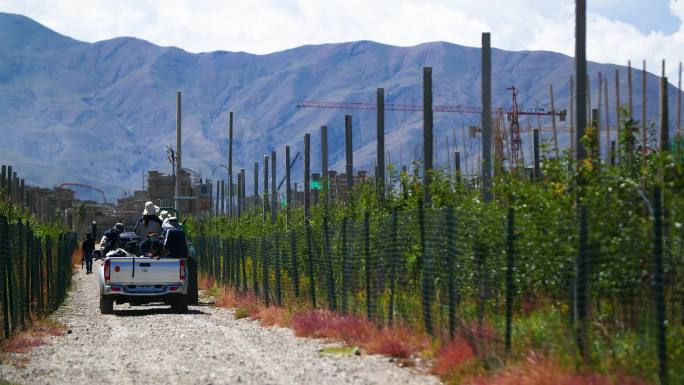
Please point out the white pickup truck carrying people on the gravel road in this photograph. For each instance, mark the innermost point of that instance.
(126, 278)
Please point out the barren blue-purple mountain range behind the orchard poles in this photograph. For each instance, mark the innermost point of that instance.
(100, 113)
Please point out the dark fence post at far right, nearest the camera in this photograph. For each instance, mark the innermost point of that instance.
(659, 284)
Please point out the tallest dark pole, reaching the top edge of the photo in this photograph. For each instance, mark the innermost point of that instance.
(581, 75)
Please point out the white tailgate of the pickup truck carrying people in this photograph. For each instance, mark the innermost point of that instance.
(140, 270)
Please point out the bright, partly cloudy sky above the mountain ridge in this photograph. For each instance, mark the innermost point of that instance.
(618, 29)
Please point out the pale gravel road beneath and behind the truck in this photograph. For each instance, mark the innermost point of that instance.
(151, 345)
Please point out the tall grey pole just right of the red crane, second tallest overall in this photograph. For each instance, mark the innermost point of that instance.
(486, 117)
